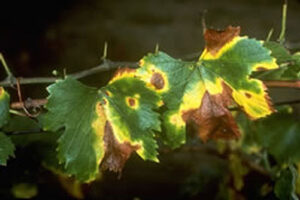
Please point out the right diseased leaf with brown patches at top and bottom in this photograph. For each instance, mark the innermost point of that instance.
(202, 91)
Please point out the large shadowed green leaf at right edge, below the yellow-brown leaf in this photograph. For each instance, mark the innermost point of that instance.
(279, 134)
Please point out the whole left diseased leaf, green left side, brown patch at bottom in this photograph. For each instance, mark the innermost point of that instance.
(102, 125)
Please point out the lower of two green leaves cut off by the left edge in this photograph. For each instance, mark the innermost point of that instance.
(7, 148)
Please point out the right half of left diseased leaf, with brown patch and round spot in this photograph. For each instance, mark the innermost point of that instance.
(128, 106)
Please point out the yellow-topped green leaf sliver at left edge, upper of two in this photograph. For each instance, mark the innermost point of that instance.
(4, 106)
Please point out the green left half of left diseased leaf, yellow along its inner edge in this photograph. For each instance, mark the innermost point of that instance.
(73, 106)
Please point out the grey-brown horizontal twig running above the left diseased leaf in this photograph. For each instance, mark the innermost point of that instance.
(105, 66)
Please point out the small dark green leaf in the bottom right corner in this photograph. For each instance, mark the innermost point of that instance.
(285, 185)
